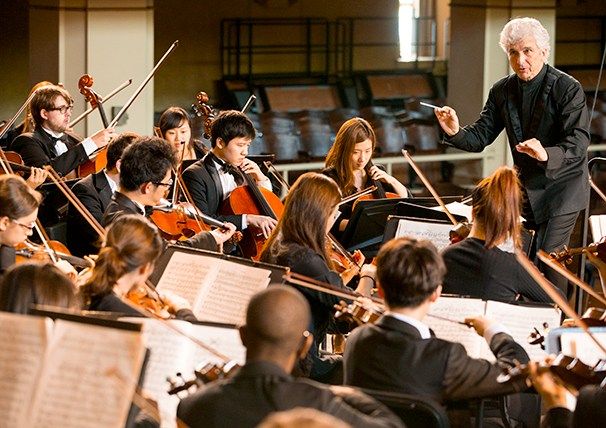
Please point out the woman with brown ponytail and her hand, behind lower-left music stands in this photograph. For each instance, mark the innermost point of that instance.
(123, 266)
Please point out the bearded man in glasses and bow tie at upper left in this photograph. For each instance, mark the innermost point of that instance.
(49, 144)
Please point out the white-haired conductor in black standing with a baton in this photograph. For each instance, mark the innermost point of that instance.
(544, 113)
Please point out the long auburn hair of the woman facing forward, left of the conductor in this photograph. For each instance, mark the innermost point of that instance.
(352, 132)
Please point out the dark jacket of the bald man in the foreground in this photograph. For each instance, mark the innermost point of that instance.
(261, 388)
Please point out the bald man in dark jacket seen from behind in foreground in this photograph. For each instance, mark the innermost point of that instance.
(275, 339)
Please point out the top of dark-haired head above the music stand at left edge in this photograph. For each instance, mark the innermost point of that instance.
(28, 284)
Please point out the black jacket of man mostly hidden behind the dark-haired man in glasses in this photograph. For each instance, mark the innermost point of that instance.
(95, 194)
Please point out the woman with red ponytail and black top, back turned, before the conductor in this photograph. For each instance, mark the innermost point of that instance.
(483, 265)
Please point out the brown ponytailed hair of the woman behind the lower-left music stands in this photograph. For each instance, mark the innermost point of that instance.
(132, 242)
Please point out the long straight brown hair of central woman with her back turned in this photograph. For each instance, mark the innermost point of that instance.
(307, 208)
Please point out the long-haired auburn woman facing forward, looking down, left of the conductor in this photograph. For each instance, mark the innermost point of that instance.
(349, 163)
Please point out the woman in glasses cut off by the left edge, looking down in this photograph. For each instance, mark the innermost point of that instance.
(18, 212)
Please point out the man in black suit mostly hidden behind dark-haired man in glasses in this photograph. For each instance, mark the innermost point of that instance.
(95, 192)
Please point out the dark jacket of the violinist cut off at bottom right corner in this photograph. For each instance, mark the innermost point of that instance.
(589, 411)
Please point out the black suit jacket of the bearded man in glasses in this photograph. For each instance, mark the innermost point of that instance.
(38, 149)
